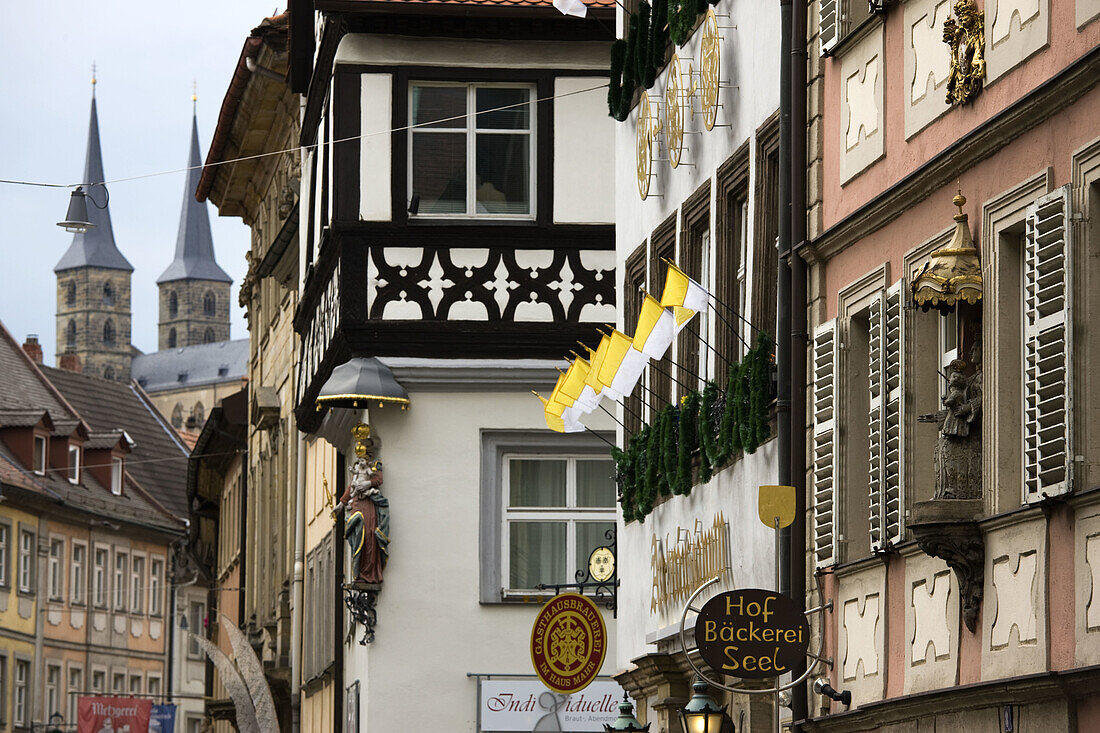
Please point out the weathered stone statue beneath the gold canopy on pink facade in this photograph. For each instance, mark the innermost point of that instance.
(959, 446)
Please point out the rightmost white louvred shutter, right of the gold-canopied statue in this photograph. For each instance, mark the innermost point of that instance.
(1048, 353)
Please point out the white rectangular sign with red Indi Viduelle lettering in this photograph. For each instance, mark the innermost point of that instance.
(516, 706)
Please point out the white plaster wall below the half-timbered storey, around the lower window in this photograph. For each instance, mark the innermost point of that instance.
(432, 629)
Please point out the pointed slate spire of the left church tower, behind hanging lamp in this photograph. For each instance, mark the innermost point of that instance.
(96, 247)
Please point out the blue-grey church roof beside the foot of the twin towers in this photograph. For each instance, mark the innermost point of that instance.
(194, 366)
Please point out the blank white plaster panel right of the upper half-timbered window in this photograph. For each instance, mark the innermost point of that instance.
(584, 147)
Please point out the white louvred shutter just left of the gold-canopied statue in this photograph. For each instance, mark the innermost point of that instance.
(884, 418)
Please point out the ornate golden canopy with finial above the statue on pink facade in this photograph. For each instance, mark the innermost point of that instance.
(953, 272)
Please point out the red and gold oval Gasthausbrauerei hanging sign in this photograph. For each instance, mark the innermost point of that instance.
(569, 642)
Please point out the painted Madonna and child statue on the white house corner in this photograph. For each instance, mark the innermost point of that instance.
(367, 527)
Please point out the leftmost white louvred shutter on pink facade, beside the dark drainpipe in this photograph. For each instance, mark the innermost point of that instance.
(824, 444)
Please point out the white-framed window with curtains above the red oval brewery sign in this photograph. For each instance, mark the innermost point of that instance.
(558, 509)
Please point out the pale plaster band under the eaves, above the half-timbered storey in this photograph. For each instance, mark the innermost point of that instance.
(404, 51)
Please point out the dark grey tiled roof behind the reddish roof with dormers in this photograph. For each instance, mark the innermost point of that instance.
(158, 461)
